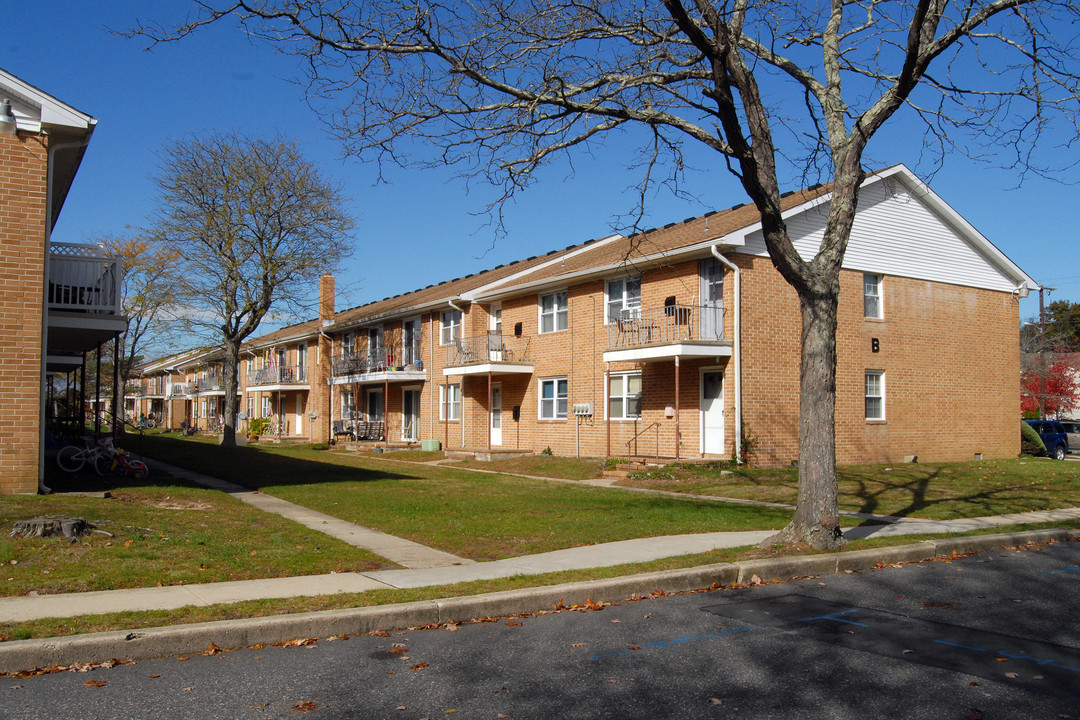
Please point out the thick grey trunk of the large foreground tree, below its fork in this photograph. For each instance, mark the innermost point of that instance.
(816, 521)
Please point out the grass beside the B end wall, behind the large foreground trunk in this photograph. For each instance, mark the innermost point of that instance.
(938, 492)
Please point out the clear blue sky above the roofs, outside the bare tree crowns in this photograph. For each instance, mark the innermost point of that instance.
(424, 226)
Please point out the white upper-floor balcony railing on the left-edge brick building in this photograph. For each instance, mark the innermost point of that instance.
(83, 279)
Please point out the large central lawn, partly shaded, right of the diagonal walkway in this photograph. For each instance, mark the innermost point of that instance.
(479, 517)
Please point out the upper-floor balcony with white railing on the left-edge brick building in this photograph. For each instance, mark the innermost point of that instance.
(84, 298)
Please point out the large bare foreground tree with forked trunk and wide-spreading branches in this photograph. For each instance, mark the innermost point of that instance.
(501, 89)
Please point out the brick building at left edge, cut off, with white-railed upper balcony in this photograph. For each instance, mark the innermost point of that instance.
(61, 300)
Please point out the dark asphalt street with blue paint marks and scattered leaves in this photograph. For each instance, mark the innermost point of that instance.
(994, 635)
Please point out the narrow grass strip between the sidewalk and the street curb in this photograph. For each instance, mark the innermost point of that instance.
(132, 621)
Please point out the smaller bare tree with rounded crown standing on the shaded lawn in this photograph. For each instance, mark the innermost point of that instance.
(254, 225)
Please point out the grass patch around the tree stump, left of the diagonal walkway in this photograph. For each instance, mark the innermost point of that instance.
(159, 532)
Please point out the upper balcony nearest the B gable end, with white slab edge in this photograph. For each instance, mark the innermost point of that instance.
(673, 331)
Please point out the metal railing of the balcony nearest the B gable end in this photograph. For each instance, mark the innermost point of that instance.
(674, 323)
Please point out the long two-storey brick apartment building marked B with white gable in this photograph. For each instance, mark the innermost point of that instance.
(658, 345)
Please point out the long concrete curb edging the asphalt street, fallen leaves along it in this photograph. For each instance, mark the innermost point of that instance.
(19, 656)
